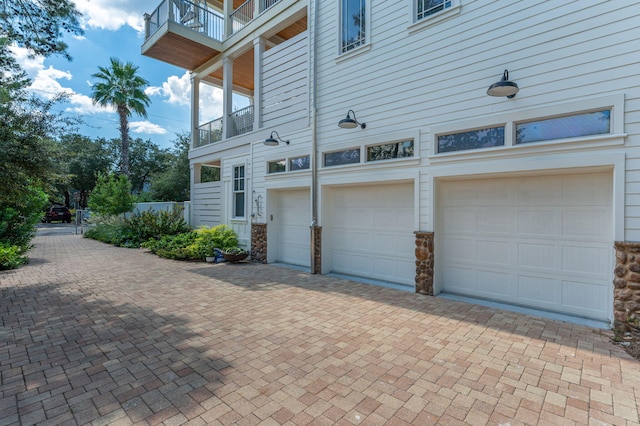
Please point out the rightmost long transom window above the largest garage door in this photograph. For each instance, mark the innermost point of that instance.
(573, 126)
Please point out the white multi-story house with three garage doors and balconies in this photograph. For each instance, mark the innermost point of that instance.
(437, 178)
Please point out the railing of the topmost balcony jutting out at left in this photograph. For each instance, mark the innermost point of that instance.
(189, 14)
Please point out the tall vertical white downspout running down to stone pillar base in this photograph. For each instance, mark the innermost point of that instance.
(314, 156)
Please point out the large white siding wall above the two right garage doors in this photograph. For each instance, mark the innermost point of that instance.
(413, 77)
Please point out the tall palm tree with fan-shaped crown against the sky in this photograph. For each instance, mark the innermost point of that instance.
(120, 87)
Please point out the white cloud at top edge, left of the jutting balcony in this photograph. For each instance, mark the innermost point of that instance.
(113, 14)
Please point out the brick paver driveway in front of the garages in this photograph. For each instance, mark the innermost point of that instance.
(93, 334)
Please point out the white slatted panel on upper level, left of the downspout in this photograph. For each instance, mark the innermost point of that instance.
(285, 81)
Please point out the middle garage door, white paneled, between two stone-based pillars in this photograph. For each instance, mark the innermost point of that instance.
(371, 232)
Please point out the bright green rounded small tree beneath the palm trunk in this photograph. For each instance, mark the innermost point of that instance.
(111, 195)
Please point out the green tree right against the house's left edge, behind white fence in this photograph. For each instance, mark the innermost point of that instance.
(173, 183)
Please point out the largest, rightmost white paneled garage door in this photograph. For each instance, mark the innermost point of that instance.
(544, 242)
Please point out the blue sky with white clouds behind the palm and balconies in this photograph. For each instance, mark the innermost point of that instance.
(115, 28)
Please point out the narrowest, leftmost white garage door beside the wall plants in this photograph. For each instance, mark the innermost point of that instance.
(292, 218)
